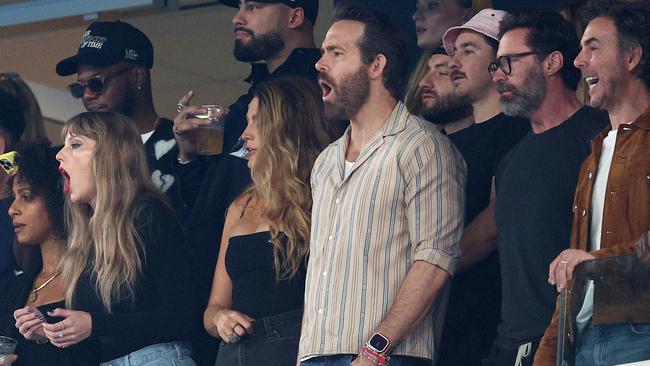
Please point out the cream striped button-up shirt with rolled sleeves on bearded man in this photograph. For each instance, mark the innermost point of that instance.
(402, 202)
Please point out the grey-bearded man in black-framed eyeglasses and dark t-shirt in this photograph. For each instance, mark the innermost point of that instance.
(536, 180)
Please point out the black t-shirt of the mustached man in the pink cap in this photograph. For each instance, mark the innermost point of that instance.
(475, 298)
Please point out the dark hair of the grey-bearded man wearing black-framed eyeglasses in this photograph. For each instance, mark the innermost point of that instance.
(549, 32)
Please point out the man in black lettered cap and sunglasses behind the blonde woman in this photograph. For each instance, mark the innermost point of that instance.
(113, 74)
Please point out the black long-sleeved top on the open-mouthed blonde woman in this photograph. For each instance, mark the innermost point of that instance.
(162, 309)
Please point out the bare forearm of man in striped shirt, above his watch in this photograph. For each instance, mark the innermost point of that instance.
(416, 295)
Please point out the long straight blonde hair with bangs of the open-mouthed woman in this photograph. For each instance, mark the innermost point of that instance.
(105, 238)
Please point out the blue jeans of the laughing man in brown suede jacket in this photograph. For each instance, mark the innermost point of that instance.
(613, 344)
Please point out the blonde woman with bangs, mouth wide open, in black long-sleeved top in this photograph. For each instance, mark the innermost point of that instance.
(125, 273)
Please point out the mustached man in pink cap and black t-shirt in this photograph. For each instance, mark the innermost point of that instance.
(474, 302)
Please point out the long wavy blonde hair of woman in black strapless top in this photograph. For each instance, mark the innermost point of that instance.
(293, 131)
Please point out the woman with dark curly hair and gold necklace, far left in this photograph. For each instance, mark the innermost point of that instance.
(37, 215)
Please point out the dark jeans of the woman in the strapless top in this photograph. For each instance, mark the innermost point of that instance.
(274, 341)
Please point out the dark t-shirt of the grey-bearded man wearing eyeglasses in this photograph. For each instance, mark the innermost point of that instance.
(535, 185)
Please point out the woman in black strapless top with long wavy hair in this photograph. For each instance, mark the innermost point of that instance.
(257, 294)
